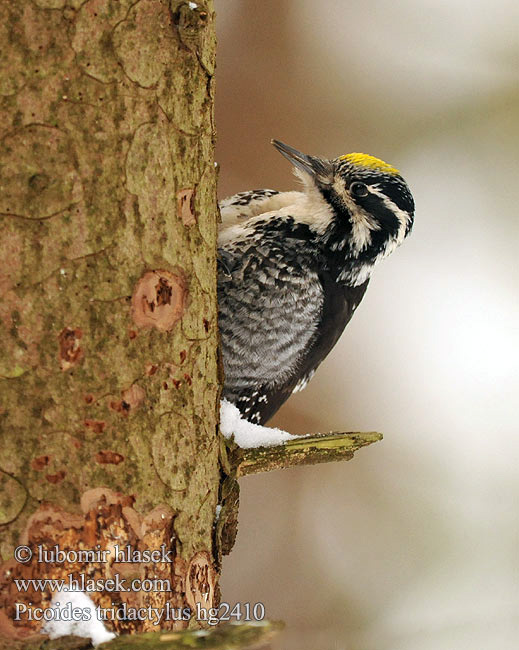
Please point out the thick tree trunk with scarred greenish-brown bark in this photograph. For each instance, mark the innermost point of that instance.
(108, 349)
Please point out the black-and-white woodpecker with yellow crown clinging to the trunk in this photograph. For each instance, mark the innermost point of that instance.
(294, 266)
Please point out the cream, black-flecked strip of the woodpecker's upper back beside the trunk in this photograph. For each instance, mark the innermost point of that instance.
(239, 207)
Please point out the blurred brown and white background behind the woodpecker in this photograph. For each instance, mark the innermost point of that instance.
(413, 545)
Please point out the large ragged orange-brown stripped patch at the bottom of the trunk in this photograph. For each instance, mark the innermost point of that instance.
(105, 518)
